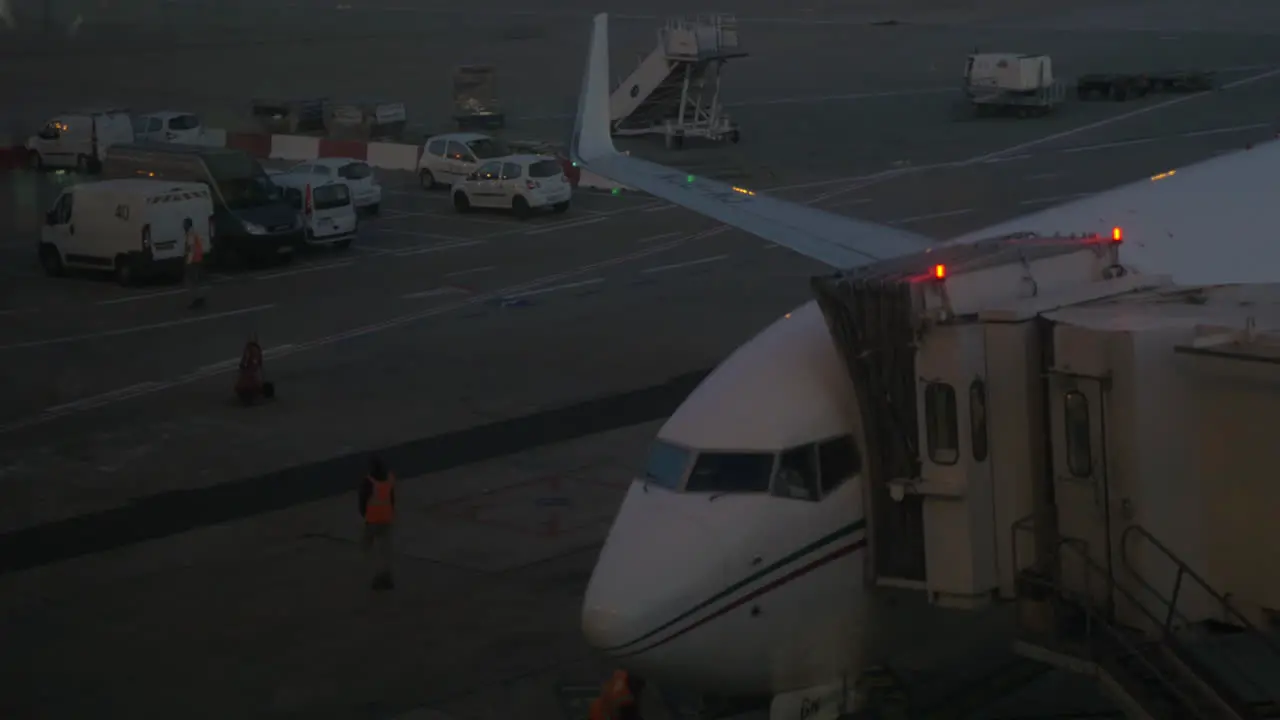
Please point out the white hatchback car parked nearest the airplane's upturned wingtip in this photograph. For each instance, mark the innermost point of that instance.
(522, 184)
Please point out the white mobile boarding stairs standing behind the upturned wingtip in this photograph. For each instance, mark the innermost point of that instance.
(675, 90)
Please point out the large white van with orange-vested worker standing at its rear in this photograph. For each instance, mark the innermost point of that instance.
(129, 227)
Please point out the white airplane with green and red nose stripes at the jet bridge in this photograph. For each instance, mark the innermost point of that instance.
(726, 573)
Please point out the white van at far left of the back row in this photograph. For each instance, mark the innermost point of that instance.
(79, 140)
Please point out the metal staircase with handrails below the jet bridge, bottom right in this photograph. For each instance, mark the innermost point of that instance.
(1155, 673)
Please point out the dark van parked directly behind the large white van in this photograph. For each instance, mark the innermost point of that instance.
(253, 218)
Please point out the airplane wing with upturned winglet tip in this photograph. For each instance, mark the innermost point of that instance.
(836, 240)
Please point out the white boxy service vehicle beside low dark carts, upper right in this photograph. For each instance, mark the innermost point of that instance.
(1012, 84)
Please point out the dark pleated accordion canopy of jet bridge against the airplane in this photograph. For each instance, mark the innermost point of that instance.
(871, 321)
